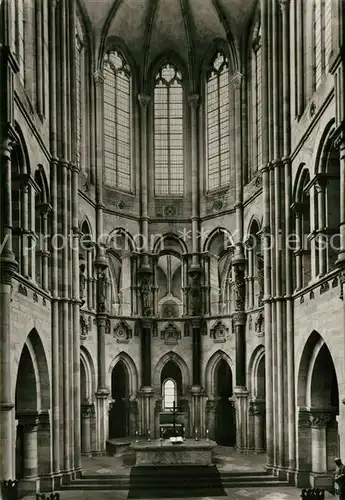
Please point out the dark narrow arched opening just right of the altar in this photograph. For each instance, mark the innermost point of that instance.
(225, 421)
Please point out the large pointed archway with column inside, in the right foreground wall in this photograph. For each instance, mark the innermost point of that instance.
(318, 408)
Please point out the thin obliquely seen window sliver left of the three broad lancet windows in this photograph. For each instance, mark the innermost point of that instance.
(79, 63)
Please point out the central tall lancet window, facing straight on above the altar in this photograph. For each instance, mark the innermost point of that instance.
(168, 131)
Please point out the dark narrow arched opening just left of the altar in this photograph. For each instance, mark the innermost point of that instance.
(119, 410)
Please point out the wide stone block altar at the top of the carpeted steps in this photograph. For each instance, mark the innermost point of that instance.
(163, 452)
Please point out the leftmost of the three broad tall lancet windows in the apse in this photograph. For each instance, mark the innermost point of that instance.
(117, 121)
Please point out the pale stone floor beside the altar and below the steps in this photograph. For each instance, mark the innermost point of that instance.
(227, 459)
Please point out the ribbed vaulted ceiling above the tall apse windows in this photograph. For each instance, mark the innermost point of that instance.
(149, 28)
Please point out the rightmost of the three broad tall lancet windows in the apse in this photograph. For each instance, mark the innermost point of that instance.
(217, 118)
